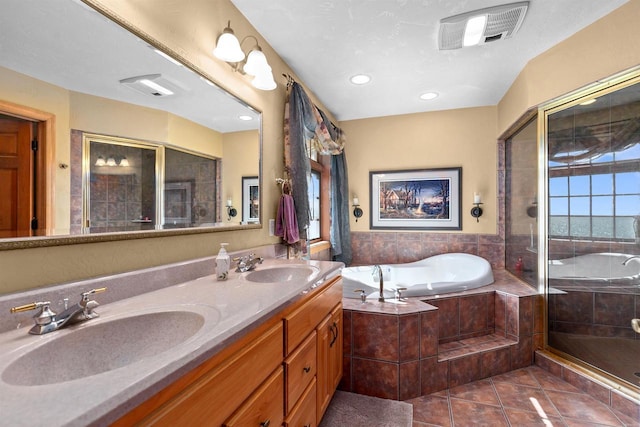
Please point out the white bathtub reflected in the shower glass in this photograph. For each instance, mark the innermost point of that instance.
(603, 266)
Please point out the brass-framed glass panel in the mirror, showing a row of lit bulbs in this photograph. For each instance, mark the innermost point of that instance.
(120, 193)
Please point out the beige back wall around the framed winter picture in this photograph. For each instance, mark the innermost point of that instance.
(452, 138)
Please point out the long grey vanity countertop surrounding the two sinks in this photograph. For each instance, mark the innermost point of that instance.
(229, 309)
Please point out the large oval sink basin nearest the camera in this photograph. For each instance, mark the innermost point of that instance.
(102, 346)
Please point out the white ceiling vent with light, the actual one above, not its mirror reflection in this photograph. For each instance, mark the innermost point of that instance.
(502, 22)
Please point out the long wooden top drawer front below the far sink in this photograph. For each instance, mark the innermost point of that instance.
(299, 324)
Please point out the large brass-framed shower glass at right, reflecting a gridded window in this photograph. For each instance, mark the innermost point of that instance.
(593, 152)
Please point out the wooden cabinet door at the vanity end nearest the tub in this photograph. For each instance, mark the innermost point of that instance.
(329, 359)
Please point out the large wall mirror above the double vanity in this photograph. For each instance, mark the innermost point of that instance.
(130, 141)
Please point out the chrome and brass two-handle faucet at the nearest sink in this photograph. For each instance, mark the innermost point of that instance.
(48, 321)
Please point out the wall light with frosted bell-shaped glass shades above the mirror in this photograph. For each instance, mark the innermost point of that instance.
(255, 64)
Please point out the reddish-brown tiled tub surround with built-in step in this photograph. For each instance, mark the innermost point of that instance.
(401, 351)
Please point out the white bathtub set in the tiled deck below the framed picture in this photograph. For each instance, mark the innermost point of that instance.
(438, 274)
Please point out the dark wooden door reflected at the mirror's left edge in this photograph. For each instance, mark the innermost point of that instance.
(16, 177)
